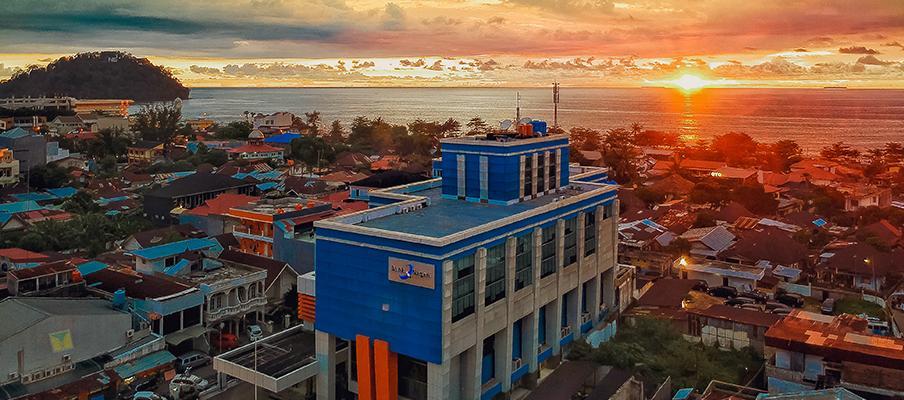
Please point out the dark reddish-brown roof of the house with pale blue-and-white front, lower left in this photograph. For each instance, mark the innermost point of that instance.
(135, 284)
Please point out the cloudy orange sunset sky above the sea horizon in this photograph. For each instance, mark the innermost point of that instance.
(474, 42)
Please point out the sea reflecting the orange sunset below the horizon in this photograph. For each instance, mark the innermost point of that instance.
(862, 118)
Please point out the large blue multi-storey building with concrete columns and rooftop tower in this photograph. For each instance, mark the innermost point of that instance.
(462, 287)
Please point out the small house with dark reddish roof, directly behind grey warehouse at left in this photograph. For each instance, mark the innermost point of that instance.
(59, 278)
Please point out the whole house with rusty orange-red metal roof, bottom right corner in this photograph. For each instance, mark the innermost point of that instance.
(806, 350)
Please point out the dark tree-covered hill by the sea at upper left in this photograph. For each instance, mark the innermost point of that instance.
(97, 75)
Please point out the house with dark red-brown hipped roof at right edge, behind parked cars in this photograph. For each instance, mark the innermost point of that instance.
(860, 266)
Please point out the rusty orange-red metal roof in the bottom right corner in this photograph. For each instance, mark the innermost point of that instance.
(839, 338)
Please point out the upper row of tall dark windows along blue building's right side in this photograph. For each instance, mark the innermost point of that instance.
(463, 287)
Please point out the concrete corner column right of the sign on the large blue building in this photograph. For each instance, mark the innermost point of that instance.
(439, 385)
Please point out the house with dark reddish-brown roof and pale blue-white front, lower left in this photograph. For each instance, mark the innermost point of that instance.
(171, 309)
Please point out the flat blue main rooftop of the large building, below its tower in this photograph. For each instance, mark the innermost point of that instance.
(440, 217)
